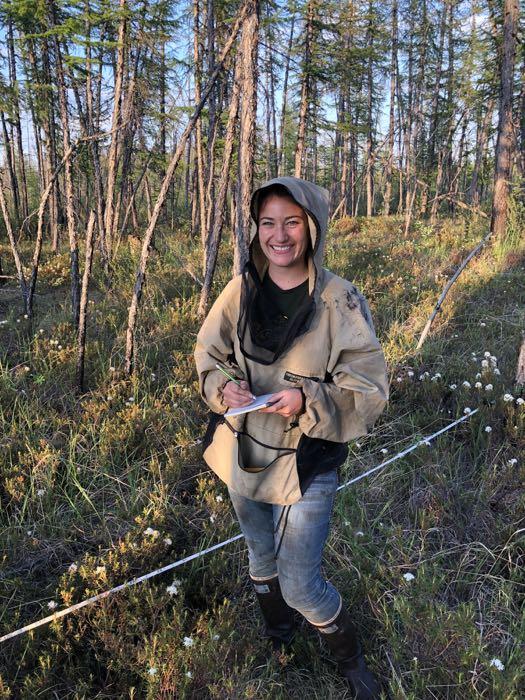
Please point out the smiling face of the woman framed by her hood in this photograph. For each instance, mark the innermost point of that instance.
(283, 232)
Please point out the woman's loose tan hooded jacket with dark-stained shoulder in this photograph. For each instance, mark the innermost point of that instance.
(257, 454)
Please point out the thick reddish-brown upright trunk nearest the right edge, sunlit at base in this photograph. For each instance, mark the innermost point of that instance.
(506, 143)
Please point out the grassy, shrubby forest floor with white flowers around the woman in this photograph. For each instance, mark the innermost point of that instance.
(98, 489)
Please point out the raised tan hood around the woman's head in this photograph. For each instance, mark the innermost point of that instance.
(314, 200)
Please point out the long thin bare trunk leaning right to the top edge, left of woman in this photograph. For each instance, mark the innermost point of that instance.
(141, 272)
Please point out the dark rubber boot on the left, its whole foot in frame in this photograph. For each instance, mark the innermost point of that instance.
(278, 616)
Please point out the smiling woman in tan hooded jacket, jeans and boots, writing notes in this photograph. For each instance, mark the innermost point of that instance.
(290, 328)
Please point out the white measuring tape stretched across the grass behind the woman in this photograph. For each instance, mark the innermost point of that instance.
(202, 552)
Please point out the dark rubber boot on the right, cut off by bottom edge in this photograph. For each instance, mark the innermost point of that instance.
(341, 638)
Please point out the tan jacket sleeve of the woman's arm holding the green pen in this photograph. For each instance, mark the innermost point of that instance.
(215, 344)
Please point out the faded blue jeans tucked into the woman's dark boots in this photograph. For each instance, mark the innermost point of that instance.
(299, 562)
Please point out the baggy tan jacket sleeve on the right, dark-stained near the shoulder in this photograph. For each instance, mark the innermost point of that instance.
(347, 407)
